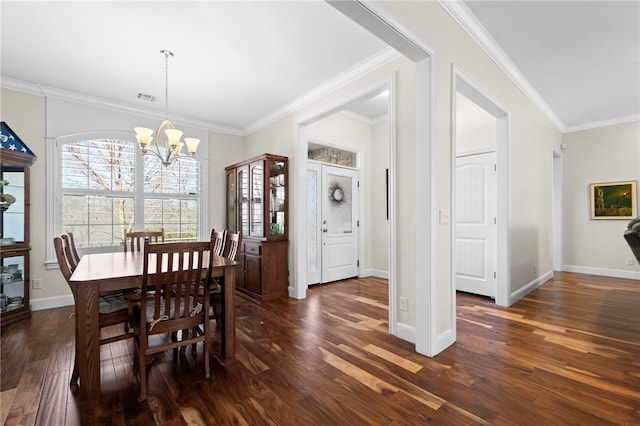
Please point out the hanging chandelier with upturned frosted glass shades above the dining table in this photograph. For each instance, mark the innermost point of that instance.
(166, 145)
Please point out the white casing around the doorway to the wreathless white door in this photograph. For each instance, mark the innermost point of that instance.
(464, 85)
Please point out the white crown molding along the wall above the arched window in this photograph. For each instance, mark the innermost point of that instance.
(53, 92)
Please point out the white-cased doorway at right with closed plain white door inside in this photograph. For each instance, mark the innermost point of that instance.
(482, 116)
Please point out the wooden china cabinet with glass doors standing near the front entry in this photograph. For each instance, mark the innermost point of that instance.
(257, 206)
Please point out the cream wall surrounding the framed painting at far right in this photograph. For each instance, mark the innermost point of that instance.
(606, 154)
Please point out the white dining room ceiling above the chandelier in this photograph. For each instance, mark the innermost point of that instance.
(235, 62)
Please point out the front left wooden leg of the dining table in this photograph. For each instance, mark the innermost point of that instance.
(88, 344)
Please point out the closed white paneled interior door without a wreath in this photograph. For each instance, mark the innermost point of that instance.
(476, 230)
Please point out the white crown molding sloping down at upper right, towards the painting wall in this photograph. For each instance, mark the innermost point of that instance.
(468, 21)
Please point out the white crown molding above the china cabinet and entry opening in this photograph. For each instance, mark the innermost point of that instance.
(386, 56)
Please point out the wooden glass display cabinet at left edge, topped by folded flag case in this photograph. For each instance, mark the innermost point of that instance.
(15, 162)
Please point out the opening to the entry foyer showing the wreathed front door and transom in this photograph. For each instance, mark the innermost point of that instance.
(346, 154)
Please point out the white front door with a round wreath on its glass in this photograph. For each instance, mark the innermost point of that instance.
(339, 223)
